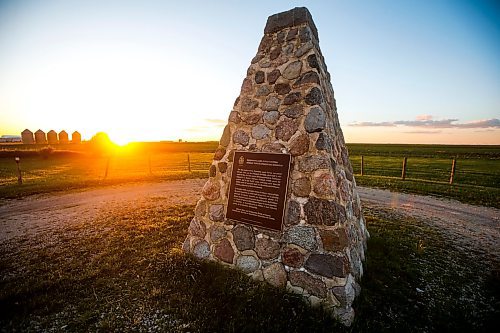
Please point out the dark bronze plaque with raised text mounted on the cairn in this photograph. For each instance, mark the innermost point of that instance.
(258, 189)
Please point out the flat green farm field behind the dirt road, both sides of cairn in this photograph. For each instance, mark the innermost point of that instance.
(476, 179)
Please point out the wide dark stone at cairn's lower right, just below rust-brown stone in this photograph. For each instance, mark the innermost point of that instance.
(327, 265)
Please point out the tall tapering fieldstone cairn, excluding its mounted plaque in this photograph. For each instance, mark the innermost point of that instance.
(287, 105)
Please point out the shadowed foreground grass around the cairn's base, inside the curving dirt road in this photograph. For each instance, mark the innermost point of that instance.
(123, 271)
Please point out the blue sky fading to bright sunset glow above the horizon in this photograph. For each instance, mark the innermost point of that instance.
(403, 71)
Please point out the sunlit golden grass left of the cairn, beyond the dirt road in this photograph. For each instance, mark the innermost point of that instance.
(63, 171)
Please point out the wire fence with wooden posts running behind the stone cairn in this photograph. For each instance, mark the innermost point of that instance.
(480, 172)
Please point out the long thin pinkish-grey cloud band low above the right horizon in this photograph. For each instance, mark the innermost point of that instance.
(426, 121)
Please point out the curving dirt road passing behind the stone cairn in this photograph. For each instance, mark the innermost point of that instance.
(475, 227)
